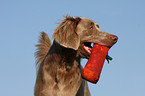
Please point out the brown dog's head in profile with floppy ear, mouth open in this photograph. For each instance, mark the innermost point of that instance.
(80, 34)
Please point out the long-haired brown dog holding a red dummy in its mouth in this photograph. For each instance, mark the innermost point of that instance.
(59, 69)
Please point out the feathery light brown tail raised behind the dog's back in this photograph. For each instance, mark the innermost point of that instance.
(42, 48)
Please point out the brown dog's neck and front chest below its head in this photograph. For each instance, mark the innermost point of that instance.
(61, 68)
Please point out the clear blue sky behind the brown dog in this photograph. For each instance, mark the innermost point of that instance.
(22, 21)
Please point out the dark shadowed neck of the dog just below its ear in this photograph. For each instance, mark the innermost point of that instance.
(66, 56)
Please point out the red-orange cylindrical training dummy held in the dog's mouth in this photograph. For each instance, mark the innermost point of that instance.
(93, 68)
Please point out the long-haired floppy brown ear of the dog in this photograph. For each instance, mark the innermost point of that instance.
(65, 34)
